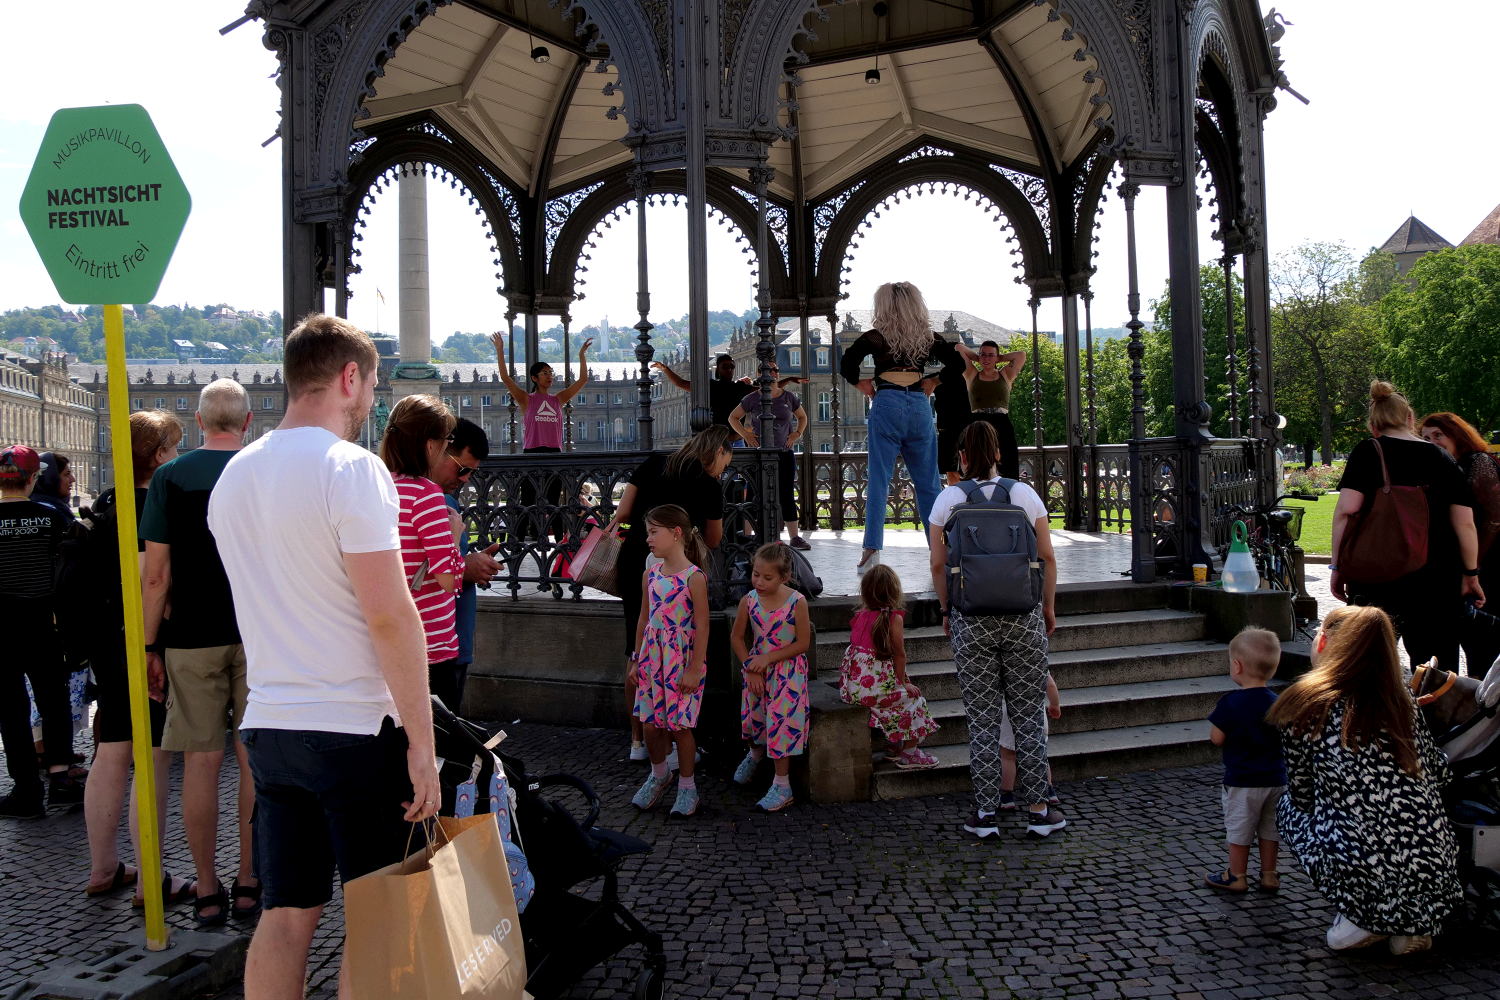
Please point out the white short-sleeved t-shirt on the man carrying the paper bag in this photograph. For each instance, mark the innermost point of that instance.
(284, 513)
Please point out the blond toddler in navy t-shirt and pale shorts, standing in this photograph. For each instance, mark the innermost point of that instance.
(1255, 771)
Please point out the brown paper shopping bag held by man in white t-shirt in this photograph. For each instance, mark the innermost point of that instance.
(440, 926)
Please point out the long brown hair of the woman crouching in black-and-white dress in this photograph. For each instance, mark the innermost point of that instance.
(1361, 668)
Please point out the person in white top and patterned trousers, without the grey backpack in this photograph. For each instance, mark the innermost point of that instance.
(1001, 659)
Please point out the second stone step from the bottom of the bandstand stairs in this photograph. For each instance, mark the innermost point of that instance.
(1105, 707)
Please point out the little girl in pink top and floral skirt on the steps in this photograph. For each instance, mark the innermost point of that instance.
(874, 672)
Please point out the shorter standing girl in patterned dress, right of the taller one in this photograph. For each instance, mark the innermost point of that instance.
(773, 704)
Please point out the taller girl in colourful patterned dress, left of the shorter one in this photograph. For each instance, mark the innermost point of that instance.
(671, 653)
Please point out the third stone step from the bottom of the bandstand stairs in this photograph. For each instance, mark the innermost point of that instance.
(1087, 668)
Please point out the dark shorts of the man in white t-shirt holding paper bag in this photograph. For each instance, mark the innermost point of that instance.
(326, 801)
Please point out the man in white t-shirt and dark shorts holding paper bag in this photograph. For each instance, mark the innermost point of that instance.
(338, 723)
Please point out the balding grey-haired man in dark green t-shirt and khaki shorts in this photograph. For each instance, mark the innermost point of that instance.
(199, 648)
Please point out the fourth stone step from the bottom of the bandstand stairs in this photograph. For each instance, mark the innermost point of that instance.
(1094, 632)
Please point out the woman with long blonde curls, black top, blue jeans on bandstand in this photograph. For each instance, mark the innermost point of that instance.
(902, 344)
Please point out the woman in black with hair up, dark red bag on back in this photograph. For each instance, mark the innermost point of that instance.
(1423, 596)
